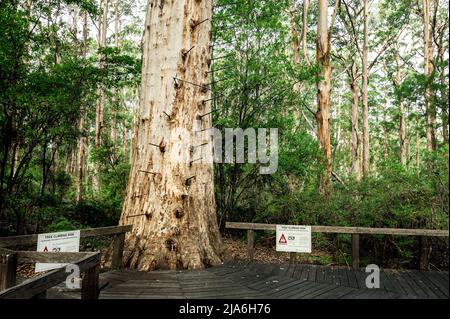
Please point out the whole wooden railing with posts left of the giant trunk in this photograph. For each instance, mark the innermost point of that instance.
(87, 262)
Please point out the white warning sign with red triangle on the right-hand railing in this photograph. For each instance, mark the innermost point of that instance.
(293, 238)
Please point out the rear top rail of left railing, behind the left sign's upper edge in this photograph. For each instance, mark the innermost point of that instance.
(84, 233)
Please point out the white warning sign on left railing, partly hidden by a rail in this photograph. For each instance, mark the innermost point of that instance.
(57, 242)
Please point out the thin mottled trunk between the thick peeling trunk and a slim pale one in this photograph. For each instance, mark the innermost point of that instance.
(354, 148)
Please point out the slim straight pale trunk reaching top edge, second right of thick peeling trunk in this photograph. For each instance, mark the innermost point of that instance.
(365, 75)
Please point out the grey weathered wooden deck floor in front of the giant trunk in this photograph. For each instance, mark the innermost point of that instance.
(236, 280)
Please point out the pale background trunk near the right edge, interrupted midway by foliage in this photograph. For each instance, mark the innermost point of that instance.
(428, 70)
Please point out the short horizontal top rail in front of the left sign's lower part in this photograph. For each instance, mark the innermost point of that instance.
(49, 257)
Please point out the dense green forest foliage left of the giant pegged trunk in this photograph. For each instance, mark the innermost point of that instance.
(46, 86)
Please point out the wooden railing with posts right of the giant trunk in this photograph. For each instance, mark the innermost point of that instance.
(424, 235)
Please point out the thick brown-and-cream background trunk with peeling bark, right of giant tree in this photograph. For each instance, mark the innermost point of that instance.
(323, 115)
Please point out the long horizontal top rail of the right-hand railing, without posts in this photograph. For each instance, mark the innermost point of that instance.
(349, 230)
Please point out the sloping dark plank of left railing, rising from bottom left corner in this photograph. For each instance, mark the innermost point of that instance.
(37, 285)
